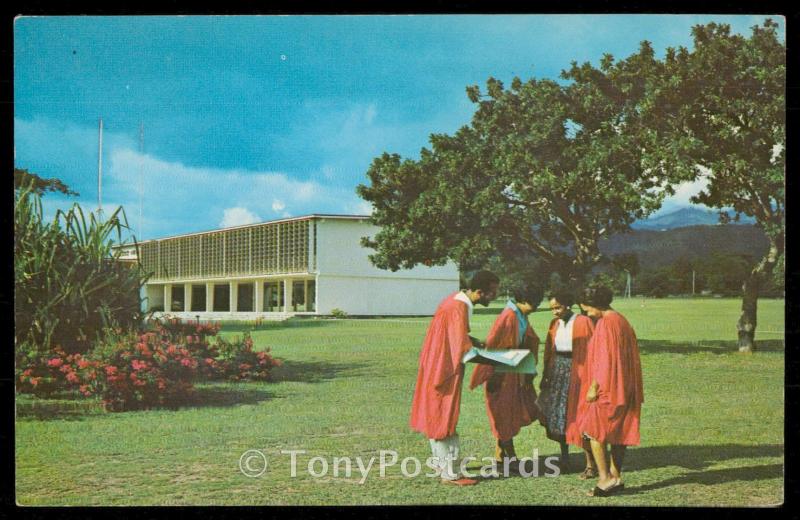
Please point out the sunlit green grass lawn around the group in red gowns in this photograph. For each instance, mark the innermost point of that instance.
(712, 423)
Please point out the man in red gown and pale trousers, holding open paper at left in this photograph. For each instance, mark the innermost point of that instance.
(437, 395)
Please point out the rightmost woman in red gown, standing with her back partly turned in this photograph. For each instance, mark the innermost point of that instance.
(609, 413)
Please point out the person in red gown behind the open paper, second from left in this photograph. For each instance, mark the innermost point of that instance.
(510, 398)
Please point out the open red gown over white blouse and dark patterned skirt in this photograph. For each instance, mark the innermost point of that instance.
(582, 330)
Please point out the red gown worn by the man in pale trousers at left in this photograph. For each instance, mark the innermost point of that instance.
(437, 396)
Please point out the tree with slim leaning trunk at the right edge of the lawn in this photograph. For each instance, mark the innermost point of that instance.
(718, 112)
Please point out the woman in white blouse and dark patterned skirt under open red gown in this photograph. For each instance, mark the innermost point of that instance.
(564, 378)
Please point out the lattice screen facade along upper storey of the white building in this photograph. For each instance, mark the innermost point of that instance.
(263, 249)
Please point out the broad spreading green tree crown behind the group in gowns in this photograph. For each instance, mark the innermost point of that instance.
(543, 170)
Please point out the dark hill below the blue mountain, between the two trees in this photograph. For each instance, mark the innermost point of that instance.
(661, 248)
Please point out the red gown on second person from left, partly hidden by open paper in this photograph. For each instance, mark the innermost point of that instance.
(513, 405)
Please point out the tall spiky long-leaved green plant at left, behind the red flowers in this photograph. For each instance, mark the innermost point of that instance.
(68, 283)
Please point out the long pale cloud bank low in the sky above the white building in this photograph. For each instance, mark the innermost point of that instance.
(175, 198)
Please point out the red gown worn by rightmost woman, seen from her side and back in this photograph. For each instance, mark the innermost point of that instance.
(613, 362)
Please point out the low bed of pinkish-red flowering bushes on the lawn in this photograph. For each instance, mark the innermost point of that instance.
(157, 368)
